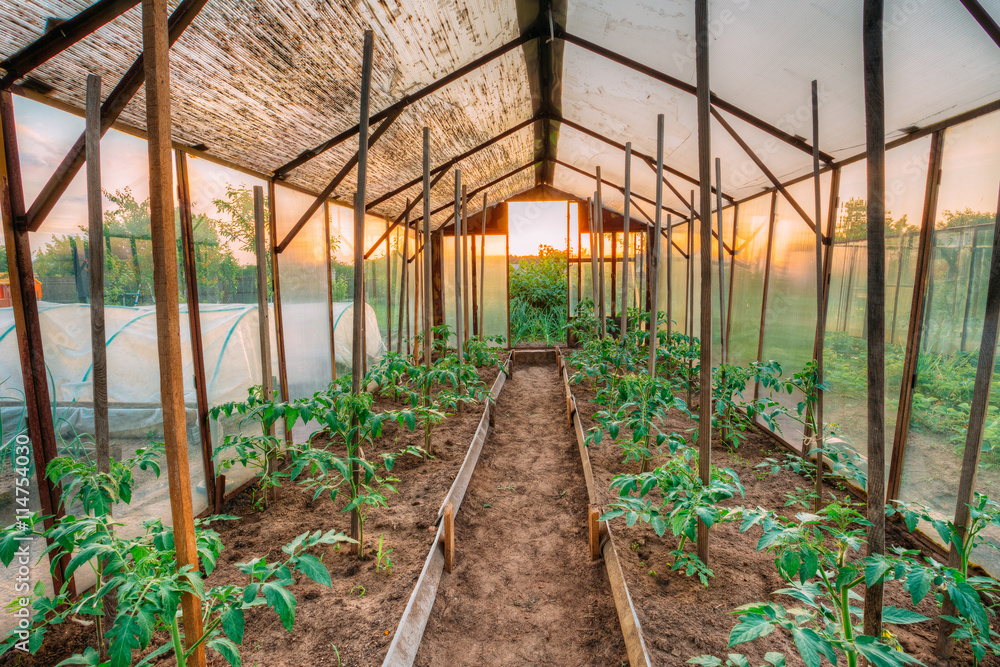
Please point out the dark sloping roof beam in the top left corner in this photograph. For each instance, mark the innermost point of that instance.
(61, 37)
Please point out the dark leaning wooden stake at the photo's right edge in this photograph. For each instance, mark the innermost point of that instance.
(974, 434)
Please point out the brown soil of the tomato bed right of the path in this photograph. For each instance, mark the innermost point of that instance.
(680, 618)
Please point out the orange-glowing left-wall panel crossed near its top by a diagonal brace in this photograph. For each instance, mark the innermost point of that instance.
(303, 281)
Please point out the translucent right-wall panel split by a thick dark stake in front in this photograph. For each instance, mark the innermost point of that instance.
(845, 347)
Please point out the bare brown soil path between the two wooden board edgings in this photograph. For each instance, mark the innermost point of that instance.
(523, 589)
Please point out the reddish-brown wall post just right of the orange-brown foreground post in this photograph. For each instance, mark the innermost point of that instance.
(194, 322)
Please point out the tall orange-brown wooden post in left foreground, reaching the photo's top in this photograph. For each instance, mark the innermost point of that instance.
(156, 58)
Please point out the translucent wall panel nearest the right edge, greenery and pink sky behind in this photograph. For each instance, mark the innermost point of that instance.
(960, 259)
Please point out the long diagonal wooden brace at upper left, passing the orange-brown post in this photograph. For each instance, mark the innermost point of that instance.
(113, 106)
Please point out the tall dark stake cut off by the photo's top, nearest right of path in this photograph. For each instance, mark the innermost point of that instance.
(705, 177)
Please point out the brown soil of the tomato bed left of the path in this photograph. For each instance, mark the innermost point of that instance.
(359, 614)
